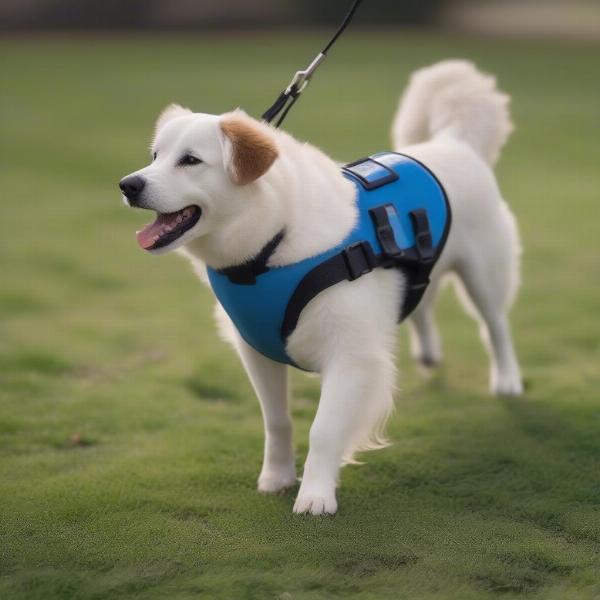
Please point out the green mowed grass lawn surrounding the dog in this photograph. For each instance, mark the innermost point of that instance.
(130, 440)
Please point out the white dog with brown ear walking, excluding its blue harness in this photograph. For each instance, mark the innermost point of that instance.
(223, 186)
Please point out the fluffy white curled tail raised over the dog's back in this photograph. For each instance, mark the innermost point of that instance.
(454, 99)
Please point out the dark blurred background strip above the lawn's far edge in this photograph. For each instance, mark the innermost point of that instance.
(574, 18)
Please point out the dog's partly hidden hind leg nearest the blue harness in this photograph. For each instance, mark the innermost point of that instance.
(425, 341)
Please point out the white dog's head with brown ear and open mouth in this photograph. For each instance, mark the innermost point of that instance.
(201, 168)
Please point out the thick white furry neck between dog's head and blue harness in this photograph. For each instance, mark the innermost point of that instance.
(303, 194)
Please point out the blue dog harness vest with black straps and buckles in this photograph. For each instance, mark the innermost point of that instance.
(404, 220)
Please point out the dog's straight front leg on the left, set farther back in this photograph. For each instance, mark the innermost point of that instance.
(269, 380)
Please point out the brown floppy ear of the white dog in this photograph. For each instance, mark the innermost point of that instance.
(249, 147)
